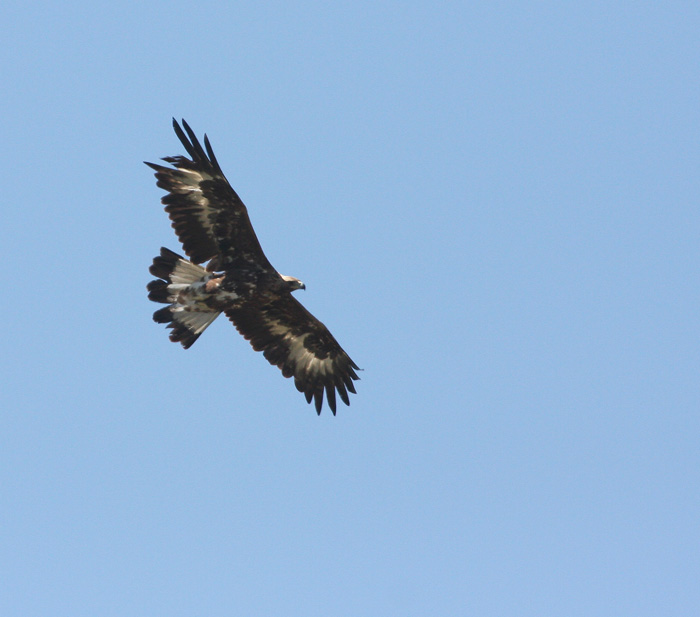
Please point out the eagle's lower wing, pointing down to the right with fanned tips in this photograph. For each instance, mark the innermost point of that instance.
(300, 345)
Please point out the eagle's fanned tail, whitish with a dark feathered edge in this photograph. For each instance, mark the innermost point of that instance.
(180, 285)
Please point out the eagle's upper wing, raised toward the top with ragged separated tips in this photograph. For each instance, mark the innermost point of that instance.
(208, 216)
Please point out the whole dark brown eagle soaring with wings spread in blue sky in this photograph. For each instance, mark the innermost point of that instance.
(213, 226)
